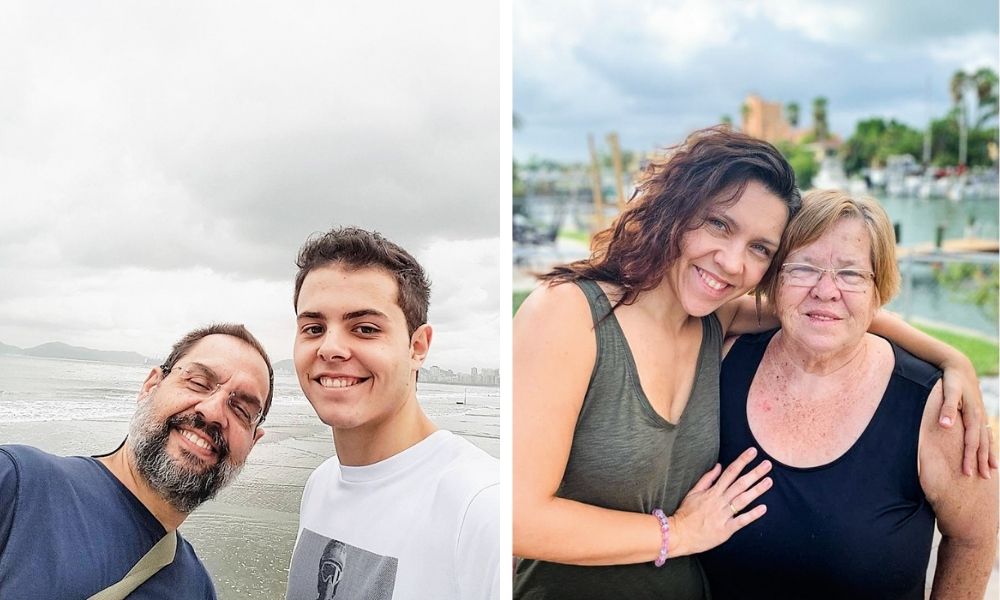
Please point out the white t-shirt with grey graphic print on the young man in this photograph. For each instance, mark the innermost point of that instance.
(424, 523)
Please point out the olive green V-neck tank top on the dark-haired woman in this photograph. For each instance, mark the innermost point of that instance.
(625, 456)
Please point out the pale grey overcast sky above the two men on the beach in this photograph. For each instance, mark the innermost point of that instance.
(162, 162)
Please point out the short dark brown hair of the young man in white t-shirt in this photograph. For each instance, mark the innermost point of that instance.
(358, 248)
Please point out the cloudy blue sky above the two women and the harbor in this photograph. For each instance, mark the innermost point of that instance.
(654, 70)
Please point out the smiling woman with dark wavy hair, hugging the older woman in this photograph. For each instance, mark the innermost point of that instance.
(616, 379)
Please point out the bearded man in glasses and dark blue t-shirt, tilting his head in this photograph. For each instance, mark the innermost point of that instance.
(71, 527)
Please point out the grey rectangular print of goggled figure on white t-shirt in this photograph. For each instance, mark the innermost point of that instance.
(324, 568)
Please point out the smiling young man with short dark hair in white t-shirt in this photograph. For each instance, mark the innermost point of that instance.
(404, 510)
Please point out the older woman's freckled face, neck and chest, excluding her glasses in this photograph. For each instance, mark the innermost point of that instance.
(820, 381)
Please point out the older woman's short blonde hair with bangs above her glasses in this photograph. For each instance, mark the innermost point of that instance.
(821, 209)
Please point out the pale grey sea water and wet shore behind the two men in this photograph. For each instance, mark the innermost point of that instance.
(244, 536)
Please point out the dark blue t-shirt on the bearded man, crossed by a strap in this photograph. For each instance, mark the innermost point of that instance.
(69, 528)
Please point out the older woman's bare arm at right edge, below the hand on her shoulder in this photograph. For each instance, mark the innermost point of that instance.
(966, 508)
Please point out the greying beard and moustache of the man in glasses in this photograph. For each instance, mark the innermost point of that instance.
(181, 486)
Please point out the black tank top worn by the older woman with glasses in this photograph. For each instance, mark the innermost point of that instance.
(858, 527)
